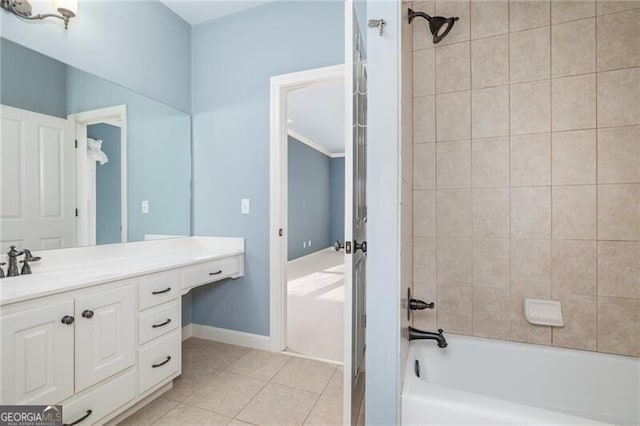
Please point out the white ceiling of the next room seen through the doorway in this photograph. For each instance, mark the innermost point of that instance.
(317, 114)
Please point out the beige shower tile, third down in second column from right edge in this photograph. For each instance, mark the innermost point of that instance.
(573, 102)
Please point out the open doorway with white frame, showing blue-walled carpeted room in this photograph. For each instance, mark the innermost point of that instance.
(306, 271)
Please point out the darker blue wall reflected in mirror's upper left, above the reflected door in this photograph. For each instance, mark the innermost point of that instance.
(32, 81)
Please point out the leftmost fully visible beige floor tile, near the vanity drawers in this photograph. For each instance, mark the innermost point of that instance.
(226, 394)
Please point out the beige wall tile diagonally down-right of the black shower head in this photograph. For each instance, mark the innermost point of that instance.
(490, 62)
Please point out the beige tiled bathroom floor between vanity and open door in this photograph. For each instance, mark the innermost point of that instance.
(230, 385)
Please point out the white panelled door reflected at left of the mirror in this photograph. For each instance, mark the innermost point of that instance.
(37, 180)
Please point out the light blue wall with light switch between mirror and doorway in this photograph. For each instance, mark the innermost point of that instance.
(233, 59)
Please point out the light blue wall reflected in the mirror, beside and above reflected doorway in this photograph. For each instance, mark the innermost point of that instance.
(158, 154)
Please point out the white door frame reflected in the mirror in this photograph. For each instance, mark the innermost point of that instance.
(116, 116)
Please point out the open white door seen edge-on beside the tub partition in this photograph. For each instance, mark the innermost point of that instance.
(355, 216)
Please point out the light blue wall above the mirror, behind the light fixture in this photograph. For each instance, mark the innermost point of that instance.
(141, 45)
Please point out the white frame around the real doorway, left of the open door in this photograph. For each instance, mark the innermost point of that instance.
(281, 85)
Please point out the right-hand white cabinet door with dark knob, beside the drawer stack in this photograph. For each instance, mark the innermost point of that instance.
(105, 333)
